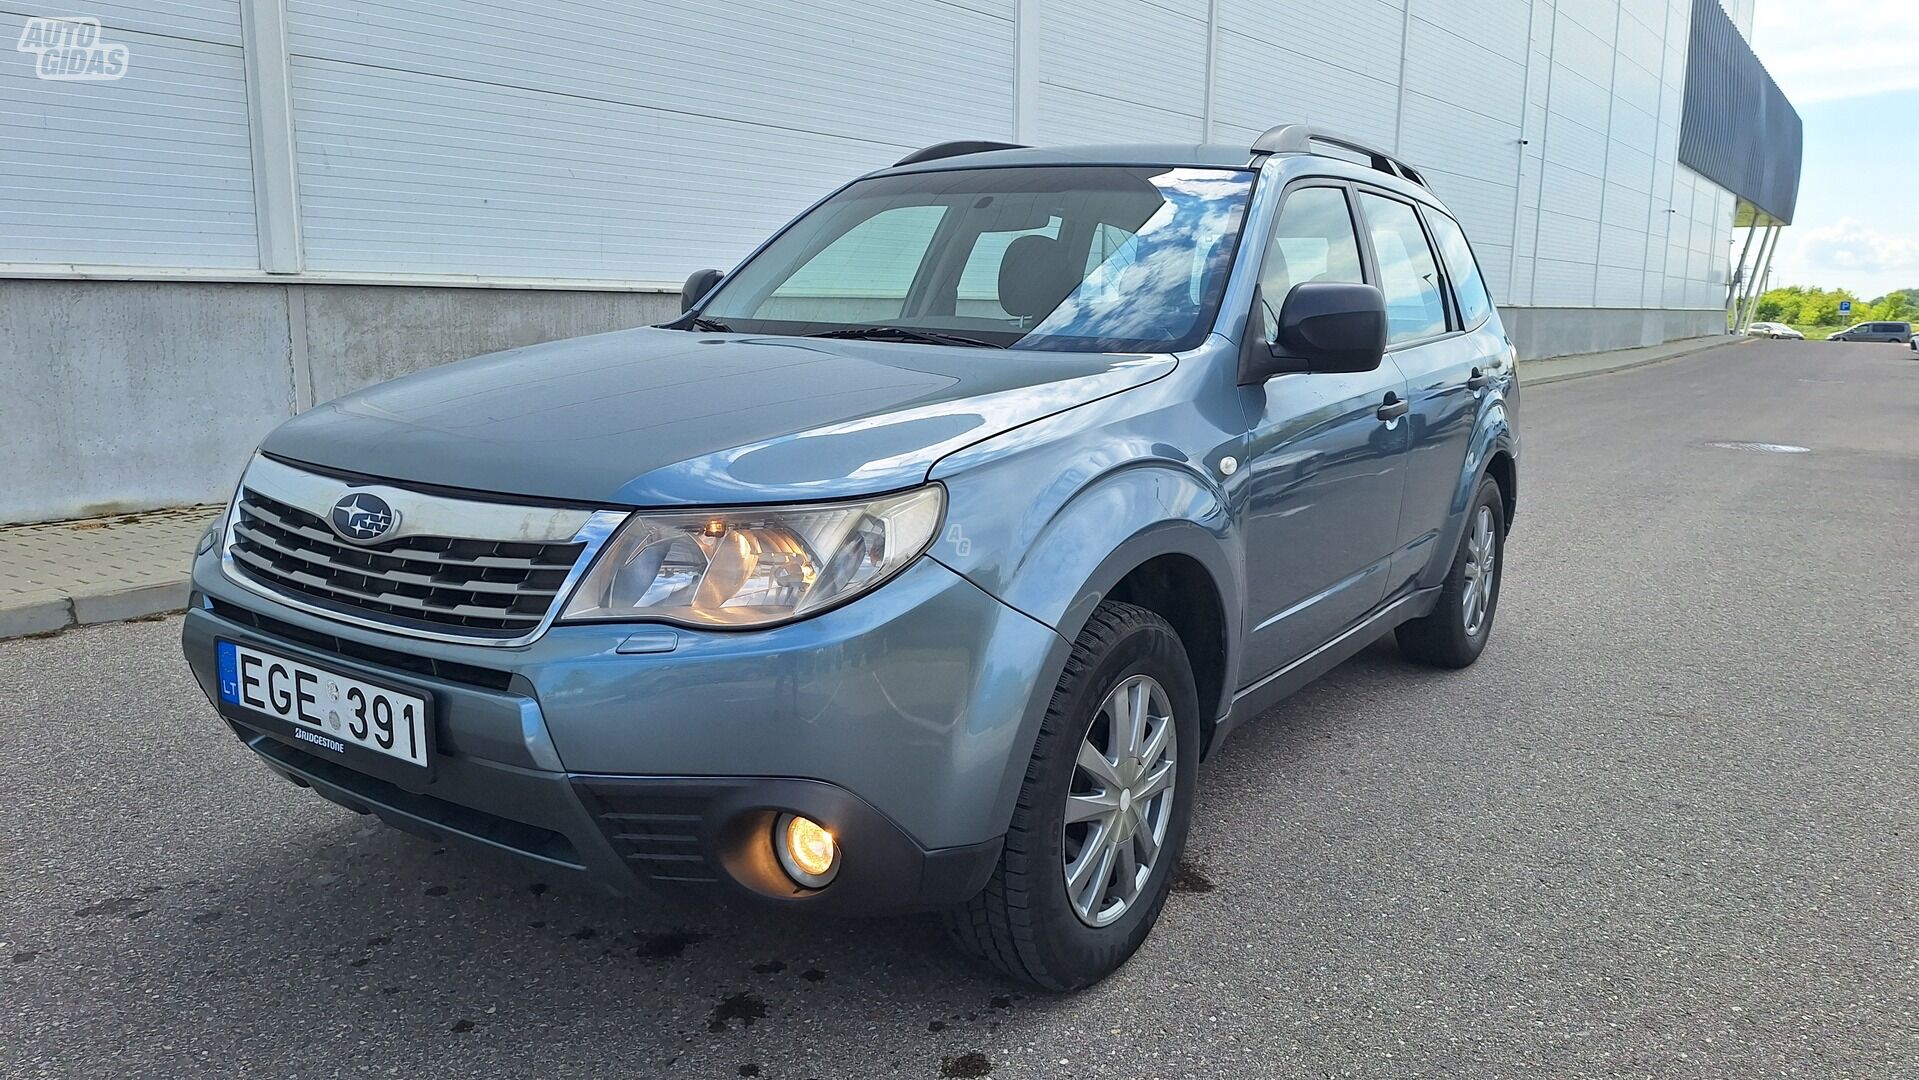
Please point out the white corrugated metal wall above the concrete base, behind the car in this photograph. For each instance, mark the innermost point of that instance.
(615, 145)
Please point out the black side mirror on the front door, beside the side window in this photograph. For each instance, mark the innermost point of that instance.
(1323, 327)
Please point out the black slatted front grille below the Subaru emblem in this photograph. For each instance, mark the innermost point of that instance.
(473, 586)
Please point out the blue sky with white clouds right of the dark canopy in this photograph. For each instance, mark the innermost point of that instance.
(1853, 72)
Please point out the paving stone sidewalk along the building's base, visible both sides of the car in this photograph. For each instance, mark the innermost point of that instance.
(118, 569)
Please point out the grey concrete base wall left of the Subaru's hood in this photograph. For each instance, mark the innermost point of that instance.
(131, 396)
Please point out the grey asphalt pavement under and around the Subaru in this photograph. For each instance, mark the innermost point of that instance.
(1667, 828)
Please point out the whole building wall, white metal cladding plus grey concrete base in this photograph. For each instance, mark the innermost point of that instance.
(341, 177)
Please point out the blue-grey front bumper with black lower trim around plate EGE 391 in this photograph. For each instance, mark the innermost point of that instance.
(903, 722)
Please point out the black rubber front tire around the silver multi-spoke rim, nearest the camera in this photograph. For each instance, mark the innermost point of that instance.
(1024, 924)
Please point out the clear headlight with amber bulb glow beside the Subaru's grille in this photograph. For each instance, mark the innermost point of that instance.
(753, 565)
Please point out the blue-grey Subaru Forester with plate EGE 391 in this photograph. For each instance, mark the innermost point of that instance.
(918, 563)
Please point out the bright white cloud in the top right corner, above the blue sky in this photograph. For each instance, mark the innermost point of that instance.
(1826, 51)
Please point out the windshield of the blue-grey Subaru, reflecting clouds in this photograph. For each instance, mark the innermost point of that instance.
(1076, 258)
